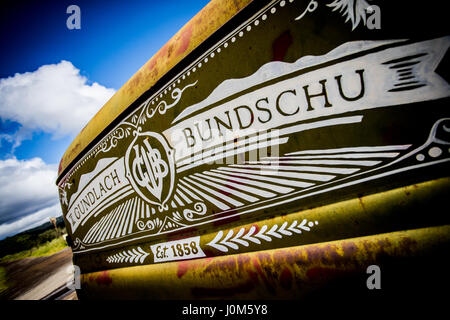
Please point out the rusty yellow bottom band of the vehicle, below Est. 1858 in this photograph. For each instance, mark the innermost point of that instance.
(279, 273)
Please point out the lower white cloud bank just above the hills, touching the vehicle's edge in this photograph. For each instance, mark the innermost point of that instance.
(27, 192)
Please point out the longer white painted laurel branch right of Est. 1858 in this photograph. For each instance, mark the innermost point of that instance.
(252, 236)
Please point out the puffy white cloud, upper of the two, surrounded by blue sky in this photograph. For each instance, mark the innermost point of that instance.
(55, 99)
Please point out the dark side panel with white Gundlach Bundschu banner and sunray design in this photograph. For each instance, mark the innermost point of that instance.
(109, 188)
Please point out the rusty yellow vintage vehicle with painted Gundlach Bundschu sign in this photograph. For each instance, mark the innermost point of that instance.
(270, 150)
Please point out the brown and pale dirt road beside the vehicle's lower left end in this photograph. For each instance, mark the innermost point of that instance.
(34, 278)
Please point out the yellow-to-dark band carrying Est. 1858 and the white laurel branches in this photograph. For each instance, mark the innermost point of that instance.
(397, 209)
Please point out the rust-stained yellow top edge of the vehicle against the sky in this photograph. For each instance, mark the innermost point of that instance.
(205, 23)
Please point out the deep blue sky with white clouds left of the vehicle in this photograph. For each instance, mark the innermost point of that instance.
(52, 80)
